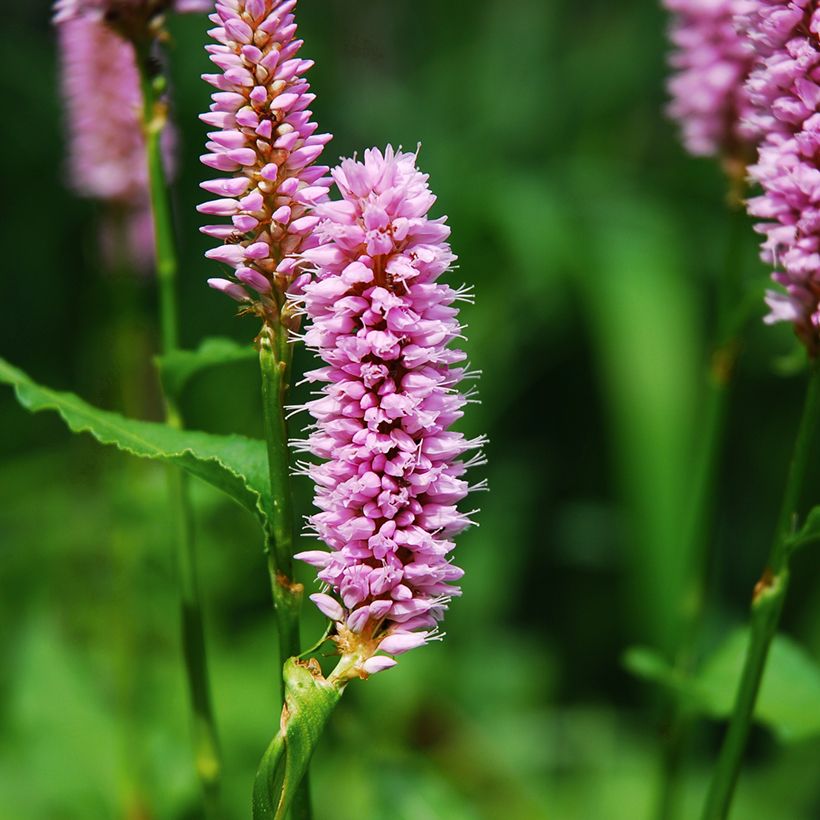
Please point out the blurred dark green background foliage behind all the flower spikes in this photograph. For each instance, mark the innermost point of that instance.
(593, 243)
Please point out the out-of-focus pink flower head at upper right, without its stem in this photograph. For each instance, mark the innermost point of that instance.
(711, 60)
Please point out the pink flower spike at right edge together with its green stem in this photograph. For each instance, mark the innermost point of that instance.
(785, 96)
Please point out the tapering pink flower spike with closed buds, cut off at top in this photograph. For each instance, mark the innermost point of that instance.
(266, 144)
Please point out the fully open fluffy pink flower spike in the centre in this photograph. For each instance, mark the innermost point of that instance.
(391, 474)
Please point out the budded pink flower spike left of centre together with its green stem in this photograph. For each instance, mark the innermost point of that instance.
(267, 144)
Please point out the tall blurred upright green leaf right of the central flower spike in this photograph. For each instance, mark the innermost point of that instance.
(640, 308)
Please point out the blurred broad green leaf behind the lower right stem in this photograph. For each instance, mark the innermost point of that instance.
(789, 700)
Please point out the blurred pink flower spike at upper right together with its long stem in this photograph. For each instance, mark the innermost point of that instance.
(711, 60)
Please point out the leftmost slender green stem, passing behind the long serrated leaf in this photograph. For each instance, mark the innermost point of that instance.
(206, 746)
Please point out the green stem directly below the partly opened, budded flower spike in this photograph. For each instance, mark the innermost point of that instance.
(275, 355)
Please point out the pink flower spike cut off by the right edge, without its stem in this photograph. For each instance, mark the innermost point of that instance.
(784, 89)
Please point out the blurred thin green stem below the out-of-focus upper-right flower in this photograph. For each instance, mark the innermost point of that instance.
(702, 505)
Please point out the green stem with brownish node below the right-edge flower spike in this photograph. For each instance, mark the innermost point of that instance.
(767, 605)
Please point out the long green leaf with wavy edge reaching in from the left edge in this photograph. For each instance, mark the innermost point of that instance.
(234, 464)
